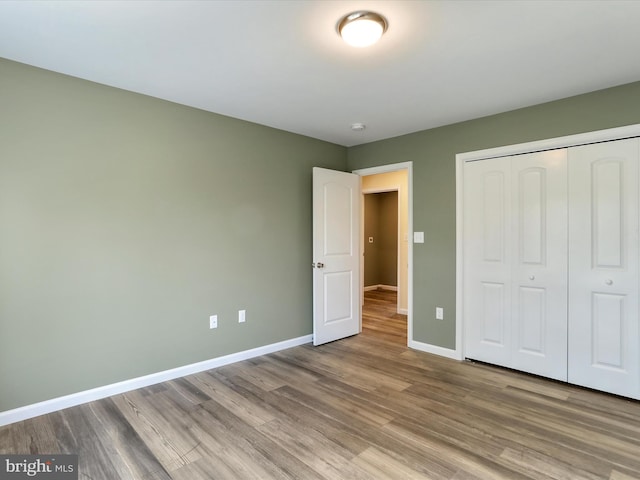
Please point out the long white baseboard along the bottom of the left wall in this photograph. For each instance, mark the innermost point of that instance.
(60, 403)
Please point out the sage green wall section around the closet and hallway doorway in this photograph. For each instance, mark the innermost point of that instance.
(434, 211)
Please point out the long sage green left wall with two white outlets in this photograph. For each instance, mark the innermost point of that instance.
(125, 221)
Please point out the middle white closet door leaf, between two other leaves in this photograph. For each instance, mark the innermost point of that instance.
(539, 271)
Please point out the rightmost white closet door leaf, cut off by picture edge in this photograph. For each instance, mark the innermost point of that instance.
(604, 338)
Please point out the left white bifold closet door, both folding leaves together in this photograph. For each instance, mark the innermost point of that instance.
(515, 229)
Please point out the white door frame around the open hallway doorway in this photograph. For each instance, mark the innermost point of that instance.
(394, 167)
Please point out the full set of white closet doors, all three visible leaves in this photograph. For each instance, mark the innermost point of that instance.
(551, 262)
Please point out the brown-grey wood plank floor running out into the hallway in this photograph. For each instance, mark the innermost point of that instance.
(365, 407)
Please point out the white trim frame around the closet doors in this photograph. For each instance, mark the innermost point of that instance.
(504, 151)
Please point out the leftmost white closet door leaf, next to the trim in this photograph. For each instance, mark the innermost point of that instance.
(487, 225)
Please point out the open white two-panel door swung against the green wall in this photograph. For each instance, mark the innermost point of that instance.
(336, 255)
